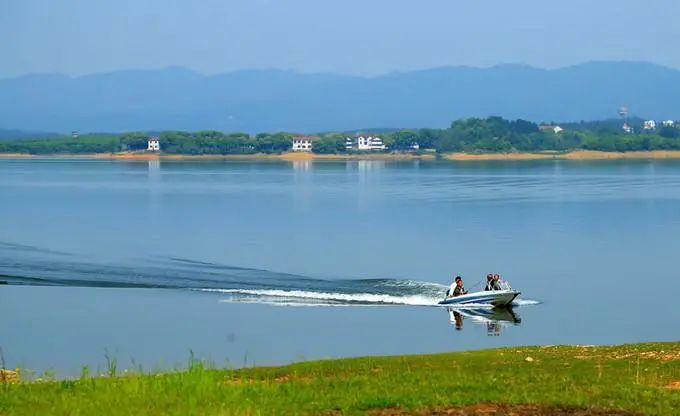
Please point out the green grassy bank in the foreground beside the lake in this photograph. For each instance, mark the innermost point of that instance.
(564, 380)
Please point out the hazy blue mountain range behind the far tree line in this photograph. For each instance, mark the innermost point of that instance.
(272, 100)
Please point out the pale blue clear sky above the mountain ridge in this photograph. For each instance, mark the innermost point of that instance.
(351, 36)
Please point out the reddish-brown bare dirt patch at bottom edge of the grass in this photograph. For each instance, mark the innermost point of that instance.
(494, 409)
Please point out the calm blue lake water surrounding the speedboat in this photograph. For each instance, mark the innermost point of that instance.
(266, 262)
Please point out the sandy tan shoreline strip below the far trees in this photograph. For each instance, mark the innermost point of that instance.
(303, 156)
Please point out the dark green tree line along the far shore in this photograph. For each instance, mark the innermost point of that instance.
(471, 135)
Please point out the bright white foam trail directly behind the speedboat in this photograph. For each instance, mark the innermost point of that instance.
(370, 298)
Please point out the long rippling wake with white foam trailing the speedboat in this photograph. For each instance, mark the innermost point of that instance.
(27, 265)
